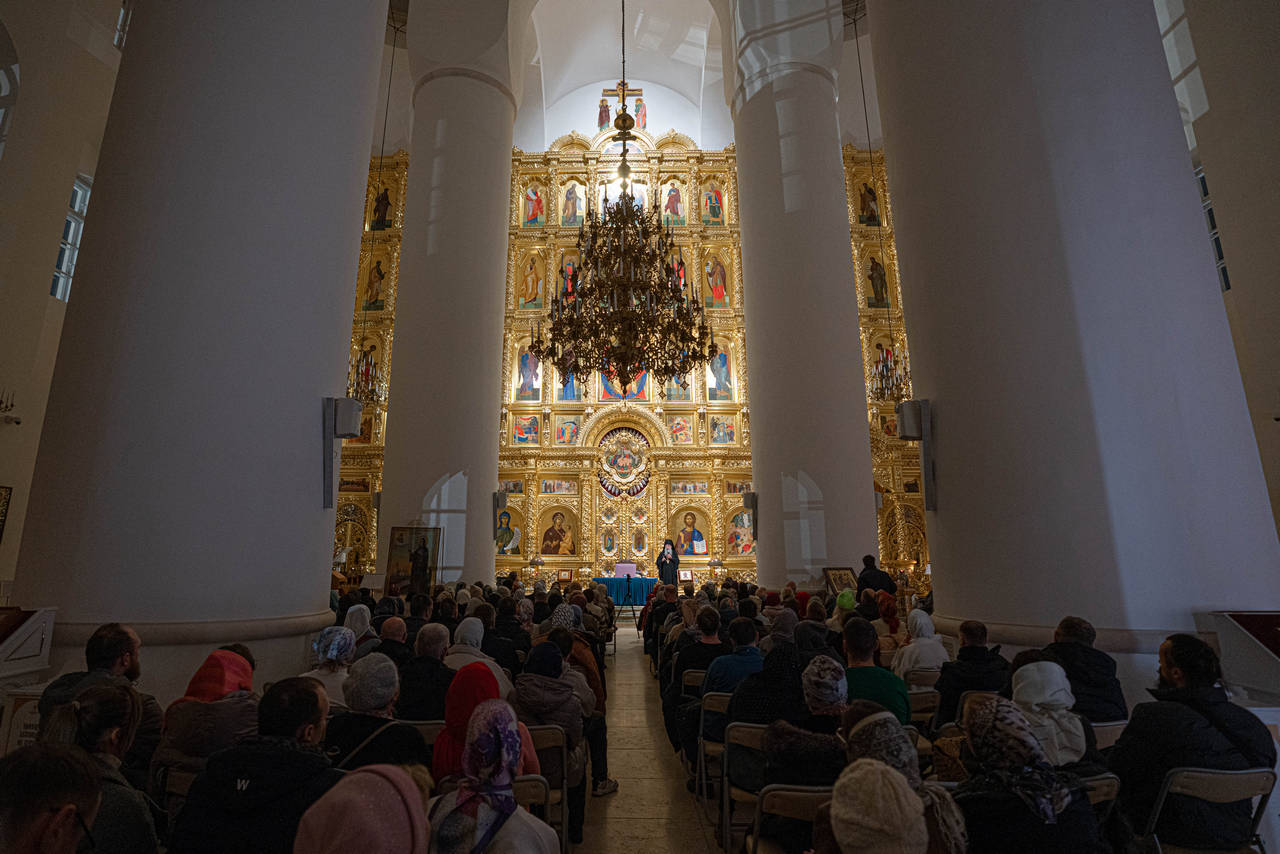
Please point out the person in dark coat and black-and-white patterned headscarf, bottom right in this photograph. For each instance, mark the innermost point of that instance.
(1016, 801)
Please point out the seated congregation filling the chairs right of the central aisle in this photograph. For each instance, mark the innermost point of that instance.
(861, 733)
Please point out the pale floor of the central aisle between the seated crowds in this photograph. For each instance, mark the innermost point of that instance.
(652, 810)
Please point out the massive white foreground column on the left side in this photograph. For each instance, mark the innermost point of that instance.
(180, 478)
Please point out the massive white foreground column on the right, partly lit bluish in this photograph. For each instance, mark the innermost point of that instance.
(1094, 449)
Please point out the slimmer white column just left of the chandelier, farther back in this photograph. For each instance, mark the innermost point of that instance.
(442, 435)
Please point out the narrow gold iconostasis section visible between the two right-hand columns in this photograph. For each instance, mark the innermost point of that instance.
(895, 463)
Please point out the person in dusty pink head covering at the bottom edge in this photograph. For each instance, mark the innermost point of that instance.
(376, 809)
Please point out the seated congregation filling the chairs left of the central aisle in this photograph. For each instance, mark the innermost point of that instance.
(469, 721)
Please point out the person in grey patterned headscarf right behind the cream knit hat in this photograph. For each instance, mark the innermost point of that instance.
(874, 733)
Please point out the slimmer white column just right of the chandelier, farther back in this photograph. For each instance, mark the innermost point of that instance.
(811, 453)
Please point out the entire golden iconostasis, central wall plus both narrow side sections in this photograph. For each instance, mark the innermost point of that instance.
(598, 472)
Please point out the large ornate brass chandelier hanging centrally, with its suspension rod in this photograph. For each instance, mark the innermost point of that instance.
(625, 310)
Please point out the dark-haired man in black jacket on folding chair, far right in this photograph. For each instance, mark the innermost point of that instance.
(1190, 725)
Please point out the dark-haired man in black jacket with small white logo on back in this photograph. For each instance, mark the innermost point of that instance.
(252, 797)
